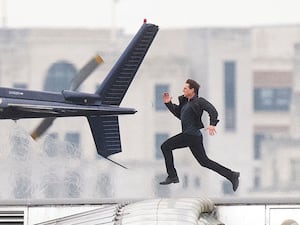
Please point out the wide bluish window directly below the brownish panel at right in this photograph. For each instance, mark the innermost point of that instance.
(272, 99)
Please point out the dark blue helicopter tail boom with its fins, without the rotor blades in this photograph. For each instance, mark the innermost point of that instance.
(101, 108)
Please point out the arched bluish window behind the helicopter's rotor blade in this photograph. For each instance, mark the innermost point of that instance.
(59, 76)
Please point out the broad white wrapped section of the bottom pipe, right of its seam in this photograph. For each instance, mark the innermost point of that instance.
(165, 211)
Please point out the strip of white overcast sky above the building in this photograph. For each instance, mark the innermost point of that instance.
(129, 14)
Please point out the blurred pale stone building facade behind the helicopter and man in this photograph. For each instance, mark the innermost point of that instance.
(250, 74)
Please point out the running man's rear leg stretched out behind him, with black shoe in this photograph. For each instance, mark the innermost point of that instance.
(197, 148)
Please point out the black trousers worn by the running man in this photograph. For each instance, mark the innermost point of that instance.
(195, 143)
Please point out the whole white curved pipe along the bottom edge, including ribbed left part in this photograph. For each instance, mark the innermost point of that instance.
(178, 211)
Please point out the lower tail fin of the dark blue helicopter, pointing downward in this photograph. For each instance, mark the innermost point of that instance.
(106, 134)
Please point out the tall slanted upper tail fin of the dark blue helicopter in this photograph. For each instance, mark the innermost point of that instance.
(117, 82)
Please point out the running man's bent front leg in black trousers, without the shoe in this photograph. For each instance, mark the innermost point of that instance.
(177, 141)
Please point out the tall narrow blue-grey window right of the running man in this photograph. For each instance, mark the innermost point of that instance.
(229, 82)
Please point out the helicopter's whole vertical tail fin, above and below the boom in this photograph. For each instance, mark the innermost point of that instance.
(105, 129)
